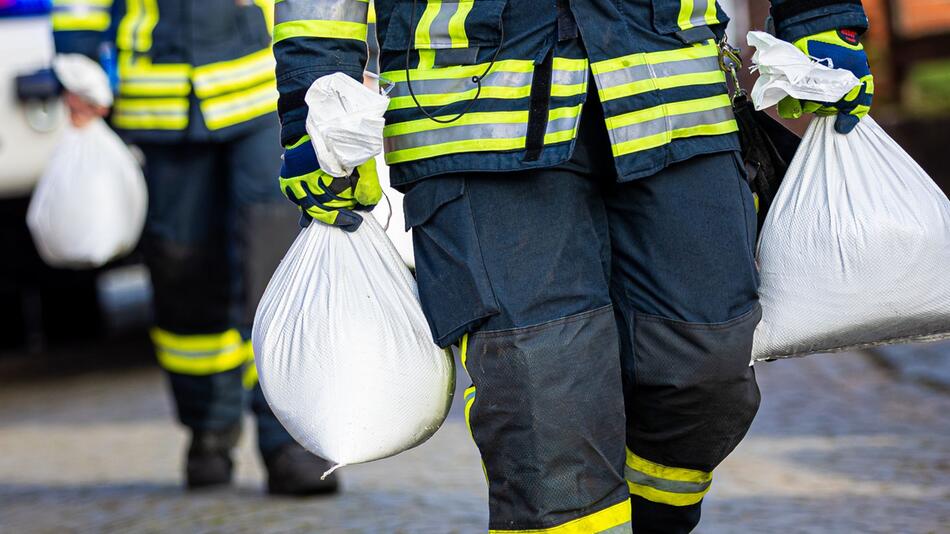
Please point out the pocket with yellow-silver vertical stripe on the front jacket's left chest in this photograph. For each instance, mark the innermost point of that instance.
(445, 33)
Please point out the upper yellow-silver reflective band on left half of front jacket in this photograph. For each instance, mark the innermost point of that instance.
(510, 79)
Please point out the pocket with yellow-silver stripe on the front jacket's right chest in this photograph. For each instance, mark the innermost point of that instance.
(691, 21)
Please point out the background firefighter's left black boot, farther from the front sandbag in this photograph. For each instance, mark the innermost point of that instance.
(209, 457)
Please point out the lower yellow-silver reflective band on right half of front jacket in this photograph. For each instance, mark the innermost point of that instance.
(652, 127)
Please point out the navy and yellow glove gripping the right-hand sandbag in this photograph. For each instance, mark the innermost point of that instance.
(845, 51)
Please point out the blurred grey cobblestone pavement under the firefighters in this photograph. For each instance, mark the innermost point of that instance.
(839, 446)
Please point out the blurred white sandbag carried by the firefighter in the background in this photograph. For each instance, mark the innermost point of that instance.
(89, 206)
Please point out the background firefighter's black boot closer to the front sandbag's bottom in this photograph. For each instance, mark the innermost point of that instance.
(292, 470)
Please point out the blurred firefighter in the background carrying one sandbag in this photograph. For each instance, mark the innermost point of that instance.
(196, 92)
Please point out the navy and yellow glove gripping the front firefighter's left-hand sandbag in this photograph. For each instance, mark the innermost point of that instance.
(323, 197)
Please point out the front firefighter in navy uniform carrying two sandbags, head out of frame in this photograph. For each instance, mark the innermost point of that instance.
(582, 228)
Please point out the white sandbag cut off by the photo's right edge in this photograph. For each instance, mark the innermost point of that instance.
(855, 249)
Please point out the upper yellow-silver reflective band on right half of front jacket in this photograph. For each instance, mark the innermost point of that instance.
(639, 73)
